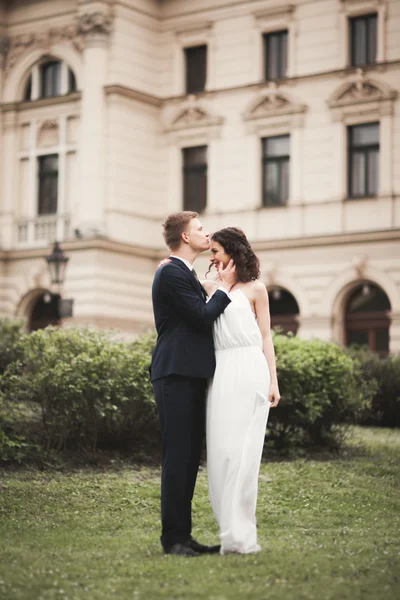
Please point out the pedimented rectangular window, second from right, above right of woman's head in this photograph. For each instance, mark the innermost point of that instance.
(275, 170)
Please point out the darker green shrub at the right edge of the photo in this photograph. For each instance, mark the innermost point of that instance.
(382, 375)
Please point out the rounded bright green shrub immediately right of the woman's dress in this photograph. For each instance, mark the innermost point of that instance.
(320, 387)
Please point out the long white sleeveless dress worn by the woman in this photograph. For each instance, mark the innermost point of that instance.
(237, 413)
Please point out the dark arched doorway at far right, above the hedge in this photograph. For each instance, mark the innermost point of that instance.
(367, 318)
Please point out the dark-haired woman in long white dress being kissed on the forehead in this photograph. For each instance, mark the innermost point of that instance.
(243, 390)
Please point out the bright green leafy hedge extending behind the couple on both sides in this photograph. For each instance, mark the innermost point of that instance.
(82, 390)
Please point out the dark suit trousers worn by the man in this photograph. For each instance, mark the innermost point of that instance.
(181, 403)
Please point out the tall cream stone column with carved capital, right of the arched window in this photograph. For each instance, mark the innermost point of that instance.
(95, 28)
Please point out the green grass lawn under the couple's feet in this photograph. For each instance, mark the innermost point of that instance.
(329, 529)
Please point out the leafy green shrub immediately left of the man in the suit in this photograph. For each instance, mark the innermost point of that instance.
(83, 389)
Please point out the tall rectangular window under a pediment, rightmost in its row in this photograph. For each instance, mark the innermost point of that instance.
(363, 157)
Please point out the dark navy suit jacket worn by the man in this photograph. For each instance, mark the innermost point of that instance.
(184, 323)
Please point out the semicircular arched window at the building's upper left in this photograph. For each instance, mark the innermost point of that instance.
(49, 78)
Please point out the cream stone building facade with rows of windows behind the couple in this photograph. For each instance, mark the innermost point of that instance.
(280, 118)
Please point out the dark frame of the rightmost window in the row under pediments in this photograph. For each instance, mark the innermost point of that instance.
(365, 150)
